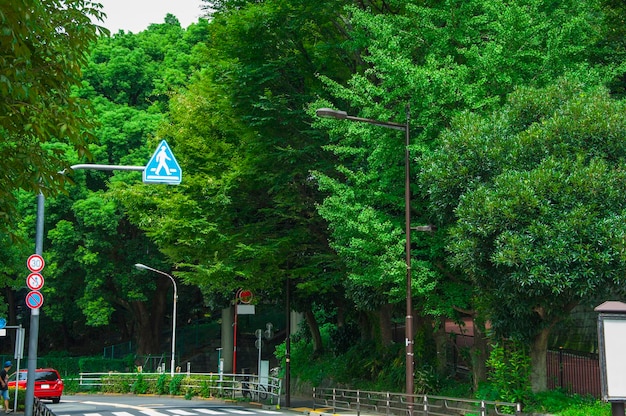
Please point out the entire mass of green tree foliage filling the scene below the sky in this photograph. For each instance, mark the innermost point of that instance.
(515, 116)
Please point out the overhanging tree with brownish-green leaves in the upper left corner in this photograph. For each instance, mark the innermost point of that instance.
(44, 44)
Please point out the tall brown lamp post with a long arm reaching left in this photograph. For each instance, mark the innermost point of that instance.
(342, 115)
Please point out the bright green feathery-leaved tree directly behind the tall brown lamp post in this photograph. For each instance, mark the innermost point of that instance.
(440, 58)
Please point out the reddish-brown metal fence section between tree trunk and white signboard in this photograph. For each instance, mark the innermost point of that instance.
(574, 372)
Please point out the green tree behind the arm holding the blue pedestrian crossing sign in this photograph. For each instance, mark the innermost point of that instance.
(92, 244)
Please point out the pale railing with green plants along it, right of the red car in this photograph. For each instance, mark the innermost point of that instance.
(234, 386)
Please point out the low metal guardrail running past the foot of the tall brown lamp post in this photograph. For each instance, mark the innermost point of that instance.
(388, 403)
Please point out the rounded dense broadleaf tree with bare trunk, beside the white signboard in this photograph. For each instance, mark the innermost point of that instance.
(536, 189)
